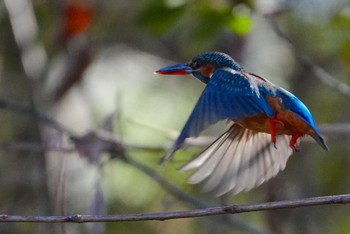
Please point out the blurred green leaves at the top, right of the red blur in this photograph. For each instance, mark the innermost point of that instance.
(209, 18)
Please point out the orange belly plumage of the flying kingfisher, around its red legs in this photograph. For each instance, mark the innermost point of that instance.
(292, 124)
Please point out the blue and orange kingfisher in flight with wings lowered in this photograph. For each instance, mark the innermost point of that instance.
(265, 123)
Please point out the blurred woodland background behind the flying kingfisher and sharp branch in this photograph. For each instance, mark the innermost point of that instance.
(89, 65)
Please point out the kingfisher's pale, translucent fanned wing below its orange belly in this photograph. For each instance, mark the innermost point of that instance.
(239, 160)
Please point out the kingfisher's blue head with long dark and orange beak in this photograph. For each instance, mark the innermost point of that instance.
(202, 66)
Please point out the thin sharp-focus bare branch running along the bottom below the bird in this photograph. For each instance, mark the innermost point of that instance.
(234, 209)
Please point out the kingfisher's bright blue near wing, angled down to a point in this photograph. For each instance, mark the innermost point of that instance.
(228, 95)
